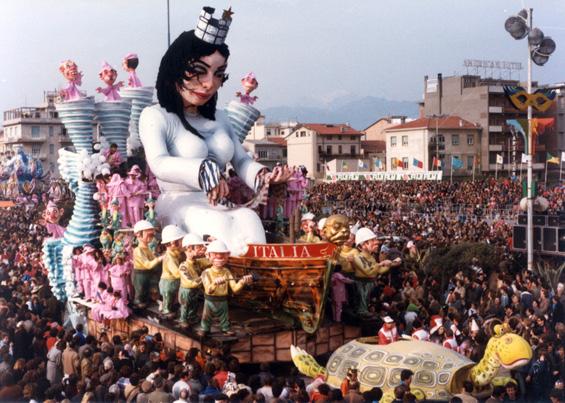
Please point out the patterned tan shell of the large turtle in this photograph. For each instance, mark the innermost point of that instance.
(434, 366)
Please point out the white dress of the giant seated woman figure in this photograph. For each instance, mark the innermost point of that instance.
(176, 157)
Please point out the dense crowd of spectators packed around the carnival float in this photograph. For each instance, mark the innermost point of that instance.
(44, 357)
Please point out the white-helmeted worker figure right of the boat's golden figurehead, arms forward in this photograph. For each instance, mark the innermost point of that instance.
(366, 268)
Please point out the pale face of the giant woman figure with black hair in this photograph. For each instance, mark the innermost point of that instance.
(203, 78)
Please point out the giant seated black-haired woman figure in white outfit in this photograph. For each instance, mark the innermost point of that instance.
(188, 144)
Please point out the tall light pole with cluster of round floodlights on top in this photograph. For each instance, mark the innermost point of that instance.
(540, 48)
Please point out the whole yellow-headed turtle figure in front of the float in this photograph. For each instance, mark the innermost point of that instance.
(439, 372)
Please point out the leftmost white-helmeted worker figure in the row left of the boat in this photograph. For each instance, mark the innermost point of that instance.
(144, 261)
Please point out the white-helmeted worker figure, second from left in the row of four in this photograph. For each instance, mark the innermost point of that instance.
(171, 237)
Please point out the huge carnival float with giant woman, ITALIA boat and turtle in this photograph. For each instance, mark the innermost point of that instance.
(183, 147)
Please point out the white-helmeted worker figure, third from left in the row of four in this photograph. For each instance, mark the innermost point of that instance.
(190, 281)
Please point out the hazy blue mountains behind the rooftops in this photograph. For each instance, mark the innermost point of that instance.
(358, 112)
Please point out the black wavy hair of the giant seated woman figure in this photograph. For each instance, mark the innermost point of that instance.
(172, 70)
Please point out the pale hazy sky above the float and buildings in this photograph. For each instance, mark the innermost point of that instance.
(302, 51)
